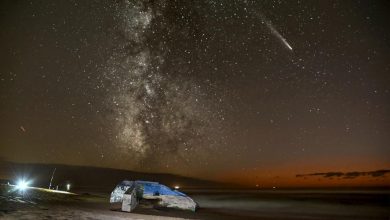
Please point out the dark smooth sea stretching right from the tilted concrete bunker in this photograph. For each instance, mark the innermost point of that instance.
(295, 204)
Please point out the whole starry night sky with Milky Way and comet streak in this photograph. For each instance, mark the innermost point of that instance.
(260, 92)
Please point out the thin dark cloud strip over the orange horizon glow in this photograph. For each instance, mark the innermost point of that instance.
(348, 175)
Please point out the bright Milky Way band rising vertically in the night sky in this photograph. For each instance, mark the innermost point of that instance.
(158, 117)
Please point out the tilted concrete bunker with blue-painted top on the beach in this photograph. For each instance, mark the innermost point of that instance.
(127, 195)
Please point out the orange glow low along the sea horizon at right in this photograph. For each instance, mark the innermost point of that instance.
(286, 176)
